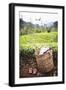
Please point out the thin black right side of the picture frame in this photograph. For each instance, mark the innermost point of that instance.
(63, 43)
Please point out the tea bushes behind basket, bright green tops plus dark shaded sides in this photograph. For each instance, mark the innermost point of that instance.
(30, 43)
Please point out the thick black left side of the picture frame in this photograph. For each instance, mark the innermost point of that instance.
(11, 45)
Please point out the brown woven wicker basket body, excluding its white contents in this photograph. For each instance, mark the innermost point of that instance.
(45, 61)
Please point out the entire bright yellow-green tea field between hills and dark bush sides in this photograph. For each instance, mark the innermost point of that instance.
(38, 40)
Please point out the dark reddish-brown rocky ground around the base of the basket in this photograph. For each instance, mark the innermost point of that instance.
(29, 69)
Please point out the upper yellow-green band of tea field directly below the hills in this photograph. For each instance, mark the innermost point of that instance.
(38, 38)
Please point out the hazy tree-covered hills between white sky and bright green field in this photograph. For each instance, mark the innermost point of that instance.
(28, 27)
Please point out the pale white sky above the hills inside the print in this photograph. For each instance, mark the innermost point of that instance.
(39, 18)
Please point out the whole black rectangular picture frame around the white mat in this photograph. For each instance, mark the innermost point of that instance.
(12, 43)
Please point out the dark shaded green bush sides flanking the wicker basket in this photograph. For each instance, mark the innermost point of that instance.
(29, 53)
